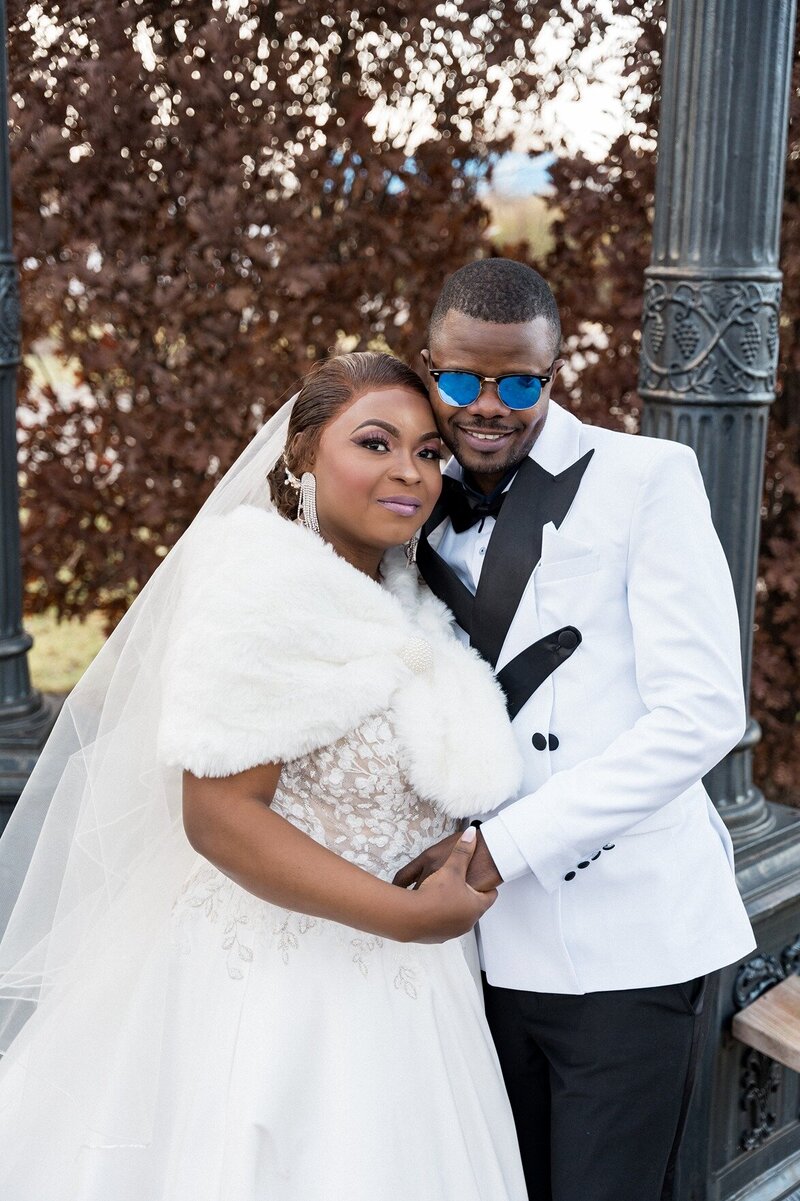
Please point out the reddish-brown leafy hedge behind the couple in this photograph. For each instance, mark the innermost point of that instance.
(208, 196)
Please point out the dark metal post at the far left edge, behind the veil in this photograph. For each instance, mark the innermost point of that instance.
(26, 716)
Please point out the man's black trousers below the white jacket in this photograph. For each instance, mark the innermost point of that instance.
(600, 1086)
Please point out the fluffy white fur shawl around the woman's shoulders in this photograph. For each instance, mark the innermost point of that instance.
(279, 647)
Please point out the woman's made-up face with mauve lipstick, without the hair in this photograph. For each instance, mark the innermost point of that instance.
(379, 470)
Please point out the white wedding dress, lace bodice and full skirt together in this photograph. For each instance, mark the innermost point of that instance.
(302, 1061)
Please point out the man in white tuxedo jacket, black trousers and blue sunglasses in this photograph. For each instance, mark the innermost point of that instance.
(584, 566)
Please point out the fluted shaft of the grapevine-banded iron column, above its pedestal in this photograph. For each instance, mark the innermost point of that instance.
(711, 326)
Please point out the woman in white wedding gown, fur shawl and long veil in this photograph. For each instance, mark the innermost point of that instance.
(210, 989)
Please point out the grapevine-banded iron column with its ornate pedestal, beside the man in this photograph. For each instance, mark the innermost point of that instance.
(709, 356)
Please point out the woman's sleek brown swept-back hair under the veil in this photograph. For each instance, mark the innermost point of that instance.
(330, 387)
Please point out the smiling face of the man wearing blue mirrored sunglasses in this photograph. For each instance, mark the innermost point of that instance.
(487, 438)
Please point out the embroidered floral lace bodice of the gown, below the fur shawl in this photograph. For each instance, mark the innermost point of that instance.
(354, 798)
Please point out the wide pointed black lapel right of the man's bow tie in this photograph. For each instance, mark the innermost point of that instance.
(516, 548)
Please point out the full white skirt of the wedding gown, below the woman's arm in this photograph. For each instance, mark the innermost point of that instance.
(260, 1056)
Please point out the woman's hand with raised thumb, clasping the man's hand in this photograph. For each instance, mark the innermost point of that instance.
(445, 906)
